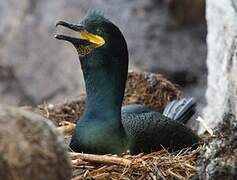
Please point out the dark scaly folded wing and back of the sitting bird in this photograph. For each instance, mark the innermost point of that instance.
(148, 131)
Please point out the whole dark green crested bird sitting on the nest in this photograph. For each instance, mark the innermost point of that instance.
(102, 128)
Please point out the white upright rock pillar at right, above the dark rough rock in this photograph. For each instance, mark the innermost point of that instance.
(221, 61)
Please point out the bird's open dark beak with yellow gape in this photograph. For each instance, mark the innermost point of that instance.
(86, 38)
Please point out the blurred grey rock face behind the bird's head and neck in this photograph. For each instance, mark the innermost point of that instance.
(48, 70)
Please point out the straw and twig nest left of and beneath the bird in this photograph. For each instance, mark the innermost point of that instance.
(158, 165)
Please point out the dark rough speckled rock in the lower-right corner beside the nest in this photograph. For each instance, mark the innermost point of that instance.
(218, 159)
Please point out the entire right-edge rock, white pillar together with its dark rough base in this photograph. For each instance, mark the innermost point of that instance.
(218, 159)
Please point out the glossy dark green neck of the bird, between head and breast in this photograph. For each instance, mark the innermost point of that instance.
(105, 91)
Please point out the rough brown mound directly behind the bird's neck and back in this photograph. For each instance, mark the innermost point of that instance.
(151, 90)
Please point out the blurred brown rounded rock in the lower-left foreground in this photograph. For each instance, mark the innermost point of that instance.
(30, 147)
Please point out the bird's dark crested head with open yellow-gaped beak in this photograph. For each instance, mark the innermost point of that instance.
(99, 42)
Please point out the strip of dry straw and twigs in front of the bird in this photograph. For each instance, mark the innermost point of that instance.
(158, 165)
